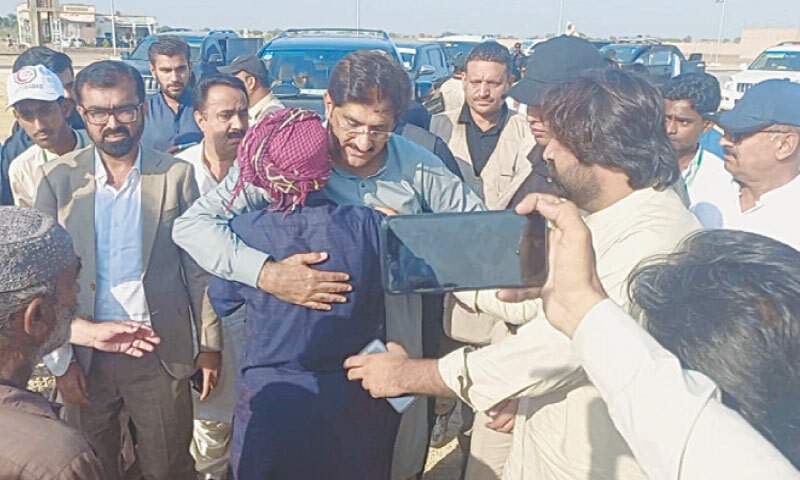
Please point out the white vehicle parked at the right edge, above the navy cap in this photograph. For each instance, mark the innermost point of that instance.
(780, 61)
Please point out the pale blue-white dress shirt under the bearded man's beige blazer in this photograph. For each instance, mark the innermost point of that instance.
(118, 246)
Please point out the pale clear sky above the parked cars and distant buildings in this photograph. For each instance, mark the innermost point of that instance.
(665, 18)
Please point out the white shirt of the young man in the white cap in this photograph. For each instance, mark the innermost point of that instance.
(22, 171)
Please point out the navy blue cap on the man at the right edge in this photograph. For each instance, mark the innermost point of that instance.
(767, 103)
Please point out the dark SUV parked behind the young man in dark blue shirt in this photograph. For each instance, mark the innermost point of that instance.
(207, 50)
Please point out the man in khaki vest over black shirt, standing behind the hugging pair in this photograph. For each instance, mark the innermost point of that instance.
(491, 145)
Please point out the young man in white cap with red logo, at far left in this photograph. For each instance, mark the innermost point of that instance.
(42, 109)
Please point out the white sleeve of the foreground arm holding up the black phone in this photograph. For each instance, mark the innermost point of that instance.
(671, 419)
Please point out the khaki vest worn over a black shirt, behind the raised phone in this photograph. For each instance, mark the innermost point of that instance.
(504, 173)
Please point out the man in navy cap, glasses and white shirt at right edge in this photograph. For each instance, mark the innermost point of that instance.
(762, 152)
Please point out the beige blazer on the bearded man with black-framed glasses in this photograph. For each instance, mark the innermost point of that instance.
(175, 286)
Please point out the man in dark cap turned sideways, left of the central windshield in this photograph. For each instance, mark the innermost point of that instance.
(252, 71)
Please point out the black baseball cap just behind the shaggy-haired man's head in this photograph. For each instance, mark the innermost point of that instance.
(553, 62)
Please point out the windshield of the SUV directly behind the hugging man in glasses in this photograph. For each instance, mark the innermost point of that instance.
(307, 70)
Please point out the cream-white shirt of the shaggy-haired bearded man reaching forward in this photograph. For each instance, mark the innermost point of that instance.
(563, 431)
